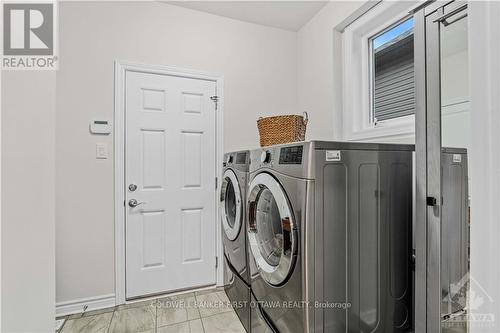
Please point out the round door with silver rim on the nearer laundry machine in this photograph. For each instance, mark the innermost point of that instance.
(271, 229)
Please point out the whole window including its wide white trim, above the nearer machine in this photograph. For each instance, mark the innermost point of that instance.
(375, 69)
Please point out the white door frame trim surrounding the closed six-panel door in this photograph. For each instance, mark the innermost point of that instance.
(121, 67)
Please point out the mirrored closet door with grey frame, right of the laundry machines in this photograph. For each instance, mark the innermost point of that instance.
(442, 145)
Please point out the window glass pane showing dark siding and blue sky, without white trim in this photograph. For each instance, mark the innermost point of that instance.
(392, 93)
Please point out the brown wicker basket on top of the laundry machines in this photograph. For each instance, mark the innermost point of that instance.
(282, 129)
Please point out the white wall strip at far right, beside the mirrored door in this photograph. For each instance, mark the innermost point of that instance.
(484, 41)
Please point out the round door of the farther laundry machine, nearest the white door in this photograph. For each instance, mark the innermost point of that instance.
(230, 205)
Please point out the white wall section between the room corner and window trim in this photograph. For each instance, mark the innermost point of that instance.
(317, 88)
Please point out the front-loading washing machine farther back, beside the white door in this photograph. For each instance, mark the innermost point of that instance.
(232, 212)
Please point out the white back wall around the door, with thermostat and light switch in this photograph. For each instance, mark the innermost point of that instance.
(260, 68)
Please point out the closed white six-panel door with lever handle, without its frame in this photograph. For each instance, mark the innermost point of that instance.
(170, 171)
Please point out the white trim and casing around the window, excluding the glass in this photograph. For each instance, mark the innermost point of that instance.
(356, 76)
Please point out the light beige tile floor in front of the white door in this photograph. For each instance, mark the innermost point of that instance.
(201, 311)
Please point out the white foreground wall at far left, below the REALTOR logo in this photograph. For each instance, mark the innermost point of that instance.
(28, 207)
